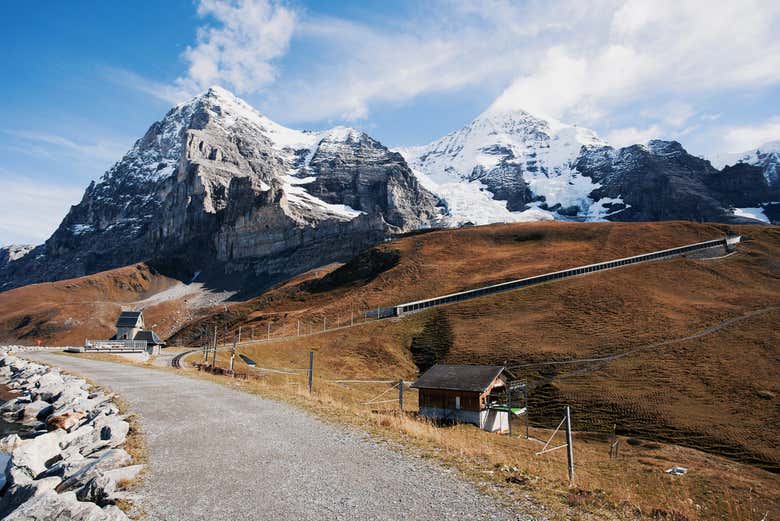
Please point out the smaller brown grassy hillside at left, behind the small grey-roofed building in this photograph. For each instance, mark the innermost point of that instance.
(68, 311)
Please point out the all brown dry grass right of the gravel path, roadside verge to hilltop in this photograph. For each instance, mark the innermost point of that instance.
(716, 393)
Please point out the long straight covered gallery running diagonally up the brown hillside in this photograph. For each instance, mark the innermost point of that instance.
(729, 243)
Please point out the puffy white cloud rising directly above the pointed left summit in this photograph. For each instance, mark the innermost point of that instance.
(239, 50)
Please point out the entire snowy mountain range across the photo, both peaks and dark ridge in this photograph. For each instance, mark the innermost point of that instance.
(218, 189)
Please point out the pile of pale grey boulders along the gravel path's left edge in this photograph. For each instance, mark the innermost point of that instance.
(72, 463)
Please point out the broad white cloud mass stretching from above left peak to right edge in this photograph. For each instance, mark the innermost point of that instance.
(614, 64)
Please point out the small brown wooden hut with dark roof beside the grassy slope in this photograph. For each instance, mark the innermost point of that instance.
(478, 394)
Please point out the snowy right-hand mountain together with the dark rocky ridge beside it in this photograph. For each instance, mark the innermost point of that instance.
(513, 166)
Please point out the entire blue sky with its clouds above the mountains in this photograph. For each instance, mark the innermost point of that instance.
(83, 80)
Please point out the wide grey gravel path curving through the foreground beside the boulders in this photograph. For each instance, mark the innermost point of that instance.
(216, 453)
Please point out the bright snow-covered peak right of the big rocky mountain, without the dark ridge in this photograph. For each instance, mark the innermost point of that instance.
(507, 165)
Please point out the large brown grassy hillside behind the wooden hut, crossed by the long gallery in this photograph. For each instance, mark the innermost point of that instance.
(715, 392)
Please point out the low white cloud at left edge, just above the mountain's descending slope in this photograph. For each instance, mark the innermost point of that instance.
(32, 210)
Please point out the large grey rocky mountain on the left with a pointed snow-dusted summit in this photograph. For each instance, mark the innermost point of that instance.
(218, 188)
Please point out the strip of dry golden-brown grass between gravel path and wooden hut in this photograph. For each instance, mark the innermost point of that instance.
(634, 486)
